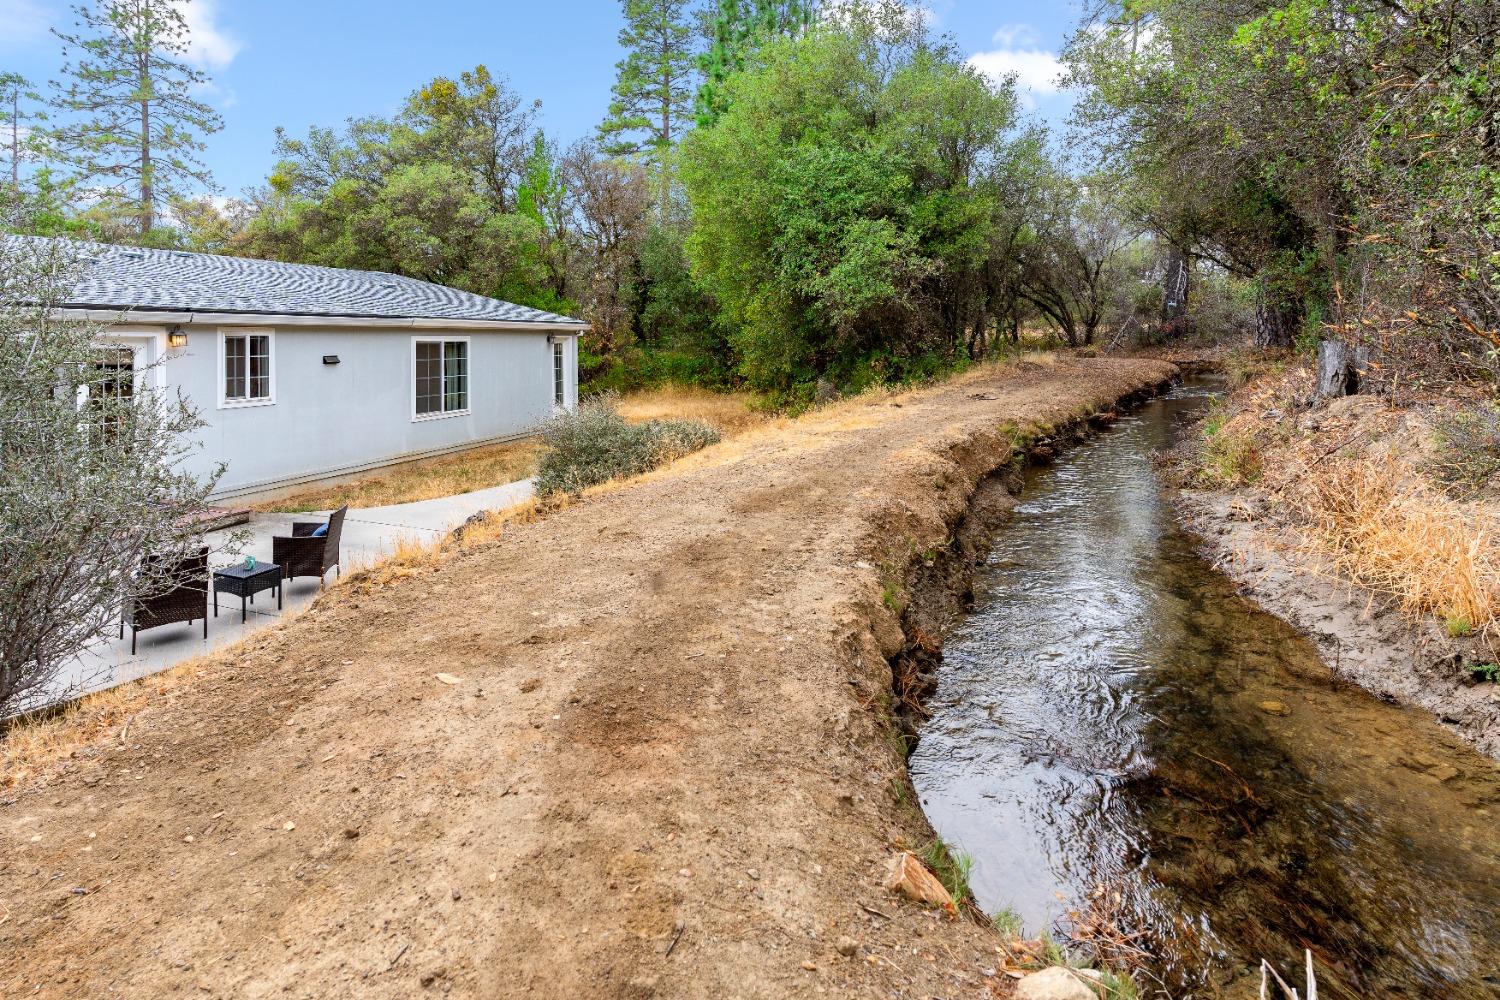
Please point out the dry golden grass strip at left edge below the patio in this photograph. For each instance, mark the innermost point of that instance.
(34, 746)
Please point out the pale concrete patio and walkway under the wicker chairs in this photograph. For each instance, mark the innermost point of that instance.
(370, 536)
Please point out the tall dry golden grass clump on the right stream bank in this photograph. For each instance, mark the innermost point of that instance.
(1376, 524)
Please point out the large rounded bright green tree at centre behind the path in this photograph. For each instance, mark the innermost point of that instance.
(844, 203)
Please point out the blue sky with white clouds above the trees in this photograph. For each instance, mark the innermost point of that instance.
(319, 62)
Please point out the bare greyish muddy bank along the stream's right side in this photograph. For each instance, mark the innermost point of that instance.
(1363, 636)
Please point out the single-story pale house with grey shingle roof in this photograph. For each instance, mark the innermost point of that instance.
(314, 374)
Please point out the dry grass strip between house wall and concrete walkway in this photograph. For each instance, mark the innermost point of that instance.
(449, 476)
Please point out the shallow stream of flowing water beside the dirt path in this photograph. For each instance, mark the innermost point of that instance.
(1118, 734)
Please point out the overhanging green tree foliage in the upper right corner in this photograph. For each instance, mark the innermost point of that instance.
(1339, 154)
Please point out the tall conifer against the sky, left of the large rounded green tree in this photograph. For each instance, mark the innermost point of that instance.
(652, 95)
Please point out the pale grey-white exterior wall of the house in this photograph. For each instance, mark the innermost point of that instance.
(334, 421)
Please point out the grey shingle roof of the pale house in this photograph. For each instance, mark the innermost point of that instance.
(130, 278)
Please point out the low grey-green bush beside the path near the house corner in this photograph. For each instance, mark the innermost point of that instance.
(595, 445)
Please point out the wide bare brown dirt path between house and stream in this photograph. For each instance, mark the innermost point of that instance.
(655, 764)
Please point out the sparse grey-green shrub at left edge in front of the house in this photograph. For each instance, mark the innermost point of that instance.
(91, 481)
